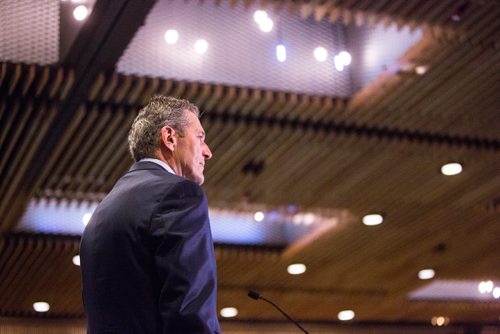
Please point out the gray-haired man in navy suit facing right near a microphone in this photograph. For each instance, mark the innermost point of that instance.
(147, 255)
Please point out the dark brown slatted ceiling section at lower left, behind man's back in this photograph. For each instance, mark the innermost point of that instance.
(38, 268)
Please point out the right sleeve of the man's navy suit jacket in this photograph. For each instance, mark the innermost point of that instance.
(184, 261)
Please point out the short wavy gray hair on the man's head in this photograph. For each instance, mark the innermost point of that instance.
(144, 137)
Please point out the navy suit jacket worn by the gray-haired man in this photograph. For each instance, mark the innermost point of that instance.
(147, 257)
